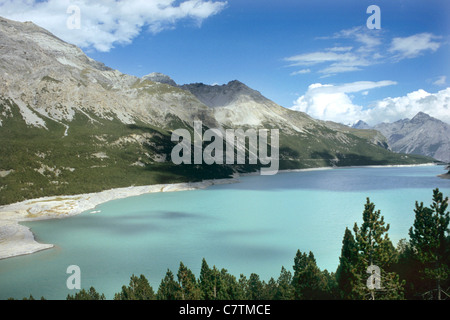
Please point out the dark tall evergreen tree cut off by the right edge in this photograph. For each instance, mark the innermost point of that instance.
(429, 241)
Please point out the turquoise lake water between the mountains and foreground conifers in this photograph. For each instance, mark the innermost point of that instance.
(255, 226)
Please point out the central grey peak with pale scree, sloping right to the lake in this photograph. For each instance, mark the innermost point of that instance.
(304, 142)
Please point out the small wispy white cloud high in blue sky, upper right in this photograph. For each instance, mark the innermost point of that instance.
(413, 46)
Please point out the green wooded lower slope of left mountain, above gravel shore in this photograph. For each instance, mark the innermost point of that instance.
(96, 155)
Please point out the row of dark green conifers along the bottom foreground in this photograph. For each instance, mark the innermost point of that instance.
(370, 268)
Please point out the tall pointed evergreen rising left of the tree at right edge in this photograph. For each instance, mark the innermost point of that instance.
(375, 250)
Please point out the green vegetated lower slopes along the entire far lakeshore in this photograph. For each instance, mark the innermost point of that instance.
(68, 165)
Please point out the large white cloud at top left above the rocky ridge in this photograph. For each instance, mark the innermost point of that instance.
(107, 23)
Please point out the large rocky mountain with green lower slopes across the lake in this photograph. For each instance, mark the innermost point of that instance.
(70, 124)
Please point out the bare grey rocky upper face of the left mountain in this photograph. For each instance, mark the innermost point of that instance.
(49, 78)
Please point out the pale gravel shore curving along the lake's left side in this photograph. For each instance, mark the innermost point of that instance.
(16, 239)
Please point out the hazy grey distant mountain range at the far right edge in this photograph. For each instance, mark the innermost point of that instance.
(422, 135)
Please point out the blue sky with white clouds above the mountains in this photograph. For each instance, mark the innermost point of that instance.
(323, 57)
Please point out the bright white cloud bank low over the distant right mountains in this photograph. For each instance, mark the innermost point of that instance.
(333, 102)
